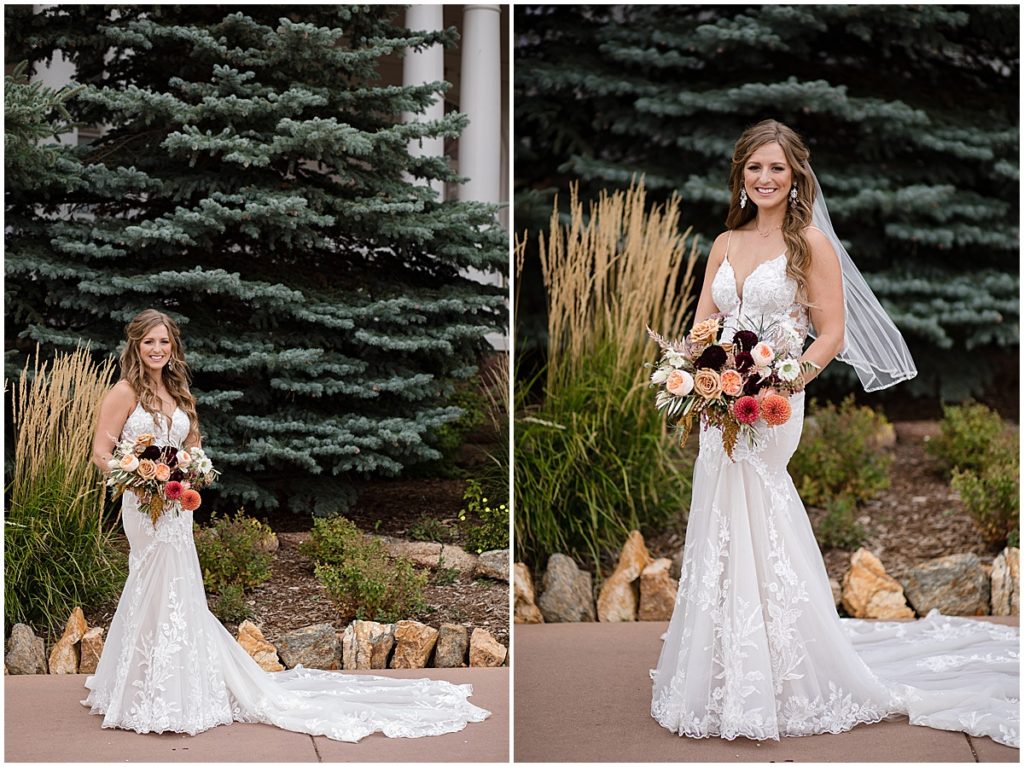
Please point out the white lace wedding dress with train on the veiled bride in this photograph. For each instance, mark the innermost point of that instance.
(756, 649)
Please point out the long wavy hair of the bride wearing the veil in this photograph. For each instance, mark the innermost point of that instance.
(798, 215)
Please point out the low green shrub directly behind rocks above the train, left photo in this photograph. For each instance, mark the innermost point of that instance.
(373, 587)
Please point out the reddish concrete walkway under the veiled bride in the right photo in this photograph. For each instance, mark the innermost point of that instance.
(583, 695)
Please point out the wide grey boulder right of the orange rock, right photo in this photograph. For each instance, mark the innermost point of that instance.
(956, 585)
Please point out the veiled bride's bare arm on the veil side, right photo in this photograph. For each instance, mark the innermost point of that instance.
(825, 291)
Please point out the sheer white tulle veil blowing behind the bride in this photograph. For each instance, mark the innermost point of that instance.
(873, 346)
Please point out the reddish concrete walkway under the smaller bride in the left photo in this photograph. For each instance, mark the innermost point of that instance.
(46, 722)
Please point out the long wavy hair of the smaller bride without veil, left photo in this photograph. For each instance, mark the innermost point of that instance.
(176, 374)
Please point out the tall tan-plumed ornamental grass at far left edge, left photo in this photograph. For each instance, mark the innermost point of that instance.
(58, 553)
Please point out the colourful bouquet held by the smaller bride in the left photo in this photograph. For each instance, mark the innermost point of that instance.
(165, 479)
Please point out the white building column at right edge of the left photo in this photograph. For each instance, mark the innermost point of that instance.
(481, 101)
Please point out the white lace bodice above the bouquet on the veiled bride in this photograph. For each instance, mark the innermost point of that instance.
(769, 293)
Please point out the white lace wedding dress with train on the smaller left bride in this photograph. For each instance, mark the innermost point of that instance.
(169, 666)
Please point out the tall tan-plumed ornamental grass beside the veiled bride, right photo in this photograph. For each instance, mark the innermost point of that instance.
(592, 459)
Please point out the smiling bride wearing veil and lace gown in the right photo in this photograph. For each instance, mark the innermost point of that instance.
(755, 648)
